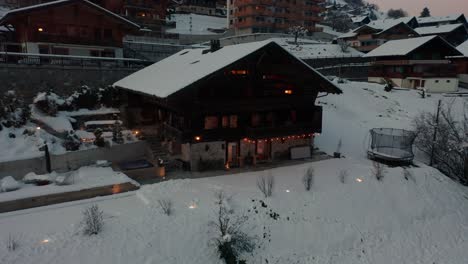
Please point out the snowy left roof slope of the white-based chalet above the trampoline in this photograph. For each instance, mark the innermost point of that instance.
(399, 47)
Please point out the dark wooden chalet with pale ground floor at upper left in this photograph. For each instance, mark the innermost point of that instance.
(67, 27)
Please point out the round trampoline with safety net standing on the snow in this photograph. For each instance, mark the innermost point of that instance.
(391, 145)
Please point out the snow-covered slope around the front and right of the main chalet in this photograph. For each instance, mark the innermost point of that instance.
(419, 220)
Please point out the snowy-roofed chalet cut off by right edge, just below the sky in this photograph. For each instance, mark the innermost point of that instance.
(455, 34)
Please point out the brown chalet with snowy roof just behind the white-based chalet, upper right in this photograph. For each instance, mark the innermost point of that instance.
(376, 33)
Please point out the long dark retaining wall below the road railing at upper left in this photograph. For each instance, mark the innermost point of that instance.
(28, 80)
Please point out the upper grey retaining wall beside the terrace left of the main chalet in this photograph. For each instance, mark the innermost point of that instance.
(74, 160)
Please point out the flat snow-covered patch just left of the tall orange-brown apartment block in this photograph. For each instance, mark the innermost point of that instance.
(194, 24)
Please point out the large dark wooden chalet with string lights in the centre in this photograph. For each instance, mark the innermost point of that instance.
(235, 105)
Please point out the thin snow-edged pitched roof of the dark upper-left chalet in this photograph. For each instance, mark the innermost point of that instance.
(64, 2)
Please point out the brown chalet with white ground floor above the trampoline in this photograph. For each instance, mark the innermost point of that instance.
(416, 63)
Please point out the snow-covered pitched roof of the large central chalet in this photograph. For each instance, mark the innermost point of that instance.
(188, 66)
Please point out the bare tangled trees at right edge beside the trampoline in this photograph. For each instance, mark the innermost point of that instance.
(447, 149)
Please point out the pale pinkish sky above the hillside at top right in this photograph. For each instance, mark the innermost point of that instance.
(414, 7)
